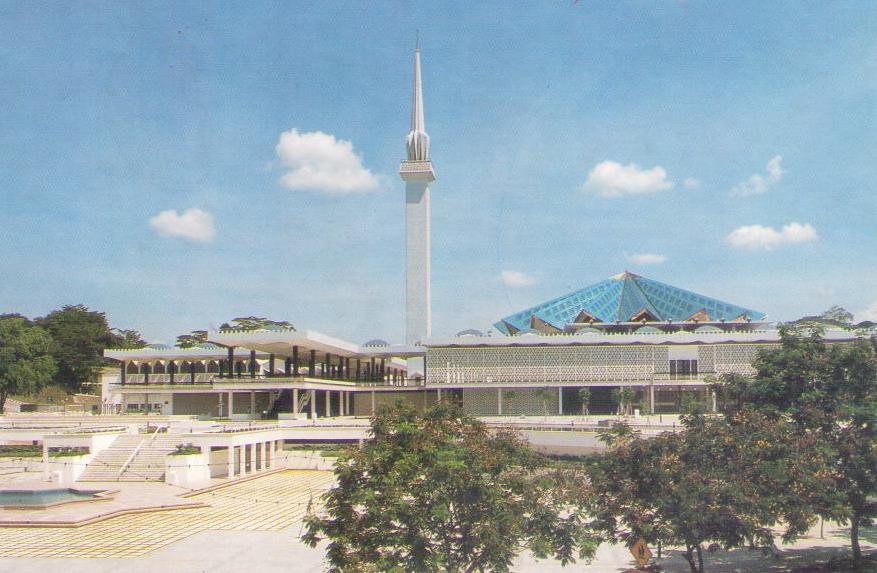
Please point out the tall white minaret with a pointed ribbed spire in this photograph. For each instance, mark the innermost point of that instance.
(417, 173)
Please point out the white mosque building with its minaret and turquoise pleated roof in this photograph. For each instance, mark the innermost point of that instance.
(665, 343)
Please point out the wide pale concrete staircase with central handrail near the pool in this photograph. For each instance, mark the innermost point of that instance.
(138, 457)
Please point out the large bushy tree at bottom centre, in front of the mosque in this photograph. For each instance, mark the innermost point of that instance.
(439, 491)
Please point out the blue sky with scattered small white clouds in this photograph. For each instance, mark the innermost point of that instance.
(570, 139)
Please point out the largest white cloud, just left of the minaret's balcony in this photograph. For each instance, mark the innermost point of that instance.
(319, 162)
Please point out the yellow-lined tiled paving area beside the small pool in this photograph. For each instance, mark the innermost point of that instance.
(267, 503)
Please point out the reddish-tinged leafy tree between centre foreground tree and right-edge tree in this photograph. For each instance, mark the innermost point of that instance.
(710, 485)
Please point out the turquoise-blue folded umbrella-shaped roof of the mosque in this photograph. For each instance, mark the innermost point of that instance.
(624, 298)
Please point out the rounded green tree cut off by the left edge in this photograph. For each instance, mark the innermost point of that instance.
(26, 364)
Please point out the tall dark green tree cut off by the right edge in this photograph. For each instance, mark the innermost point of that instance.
(826, 394)
